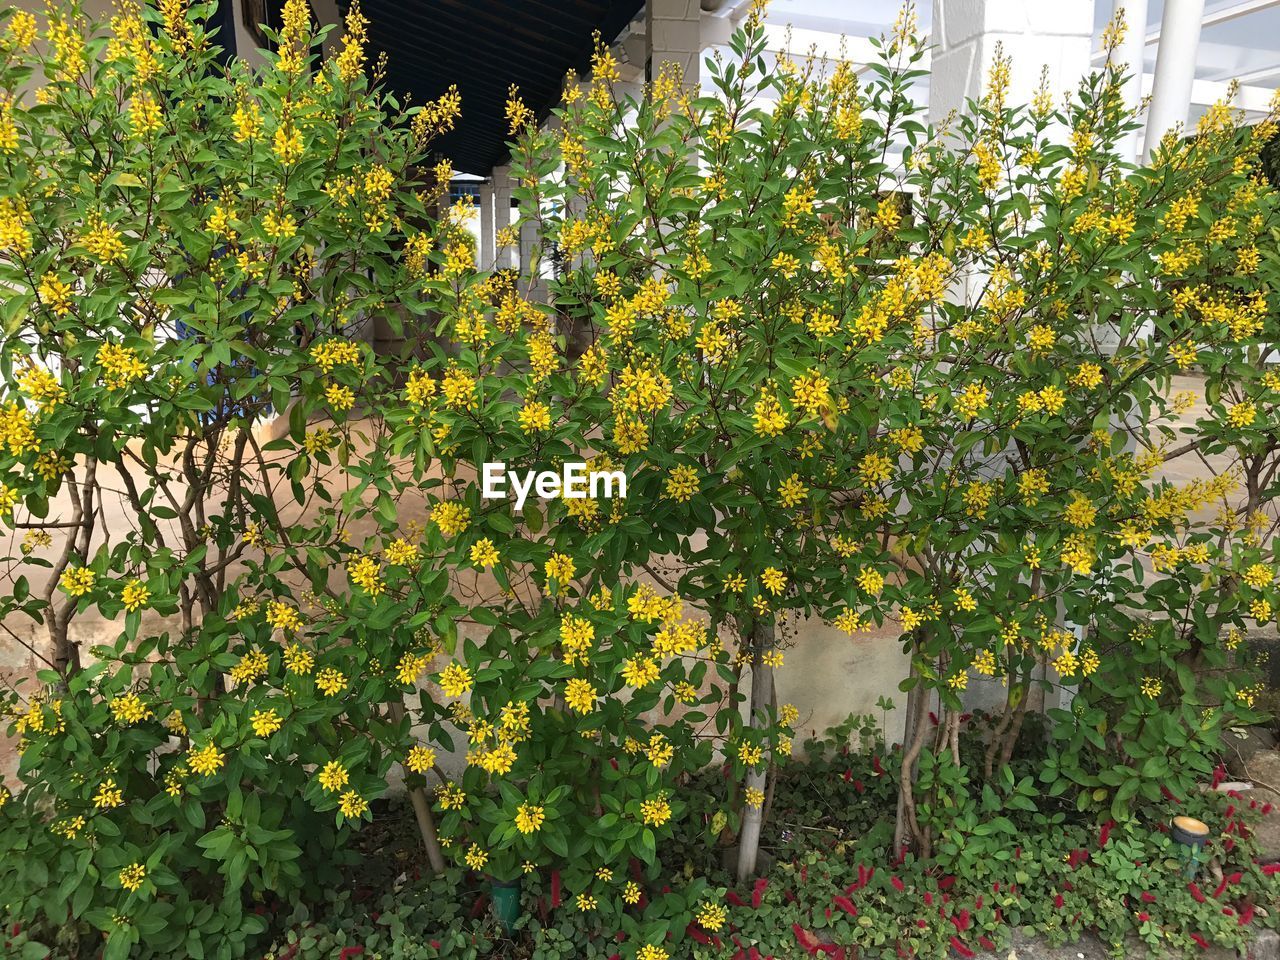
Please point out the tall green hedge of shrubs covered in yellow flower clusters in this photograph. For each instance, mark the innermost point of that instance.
(935, 394)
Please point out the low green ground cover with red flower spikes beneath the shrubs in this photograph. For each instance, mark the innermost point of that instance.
(1048, 884)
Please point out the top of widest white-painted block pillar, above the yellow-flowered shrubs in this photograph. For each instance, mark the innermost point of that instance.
(1057, 34)
